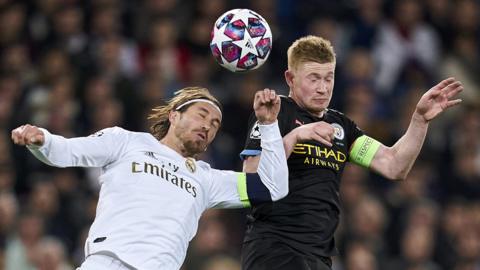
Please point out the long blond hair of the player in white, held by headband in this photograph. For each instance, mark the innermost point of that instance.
(159, 115)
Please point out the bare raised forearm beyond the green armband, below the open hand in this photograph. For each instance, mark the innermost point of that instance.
(406, 149)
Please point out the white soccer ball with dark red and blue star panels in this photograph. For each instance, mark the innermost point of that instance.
(241, 40)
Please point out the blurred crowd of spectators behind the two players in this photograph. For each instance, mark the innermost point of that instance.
(75, 67)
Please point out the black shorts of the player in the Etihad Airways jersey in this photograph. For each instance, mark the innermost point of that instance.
(271, 254)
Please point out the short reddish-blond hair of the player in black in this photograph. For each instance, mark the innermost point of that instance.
(310, 49)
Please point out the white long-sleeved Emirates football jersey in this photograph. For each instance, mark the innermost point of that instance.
(151, 197)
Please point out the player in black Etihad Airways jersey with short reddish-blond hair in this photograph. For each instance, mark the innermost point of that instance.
(297, 231)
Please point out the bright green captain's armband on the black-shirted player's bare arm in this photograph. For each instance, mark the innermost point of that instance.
(363, 151)
